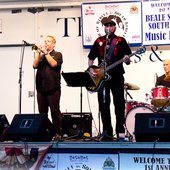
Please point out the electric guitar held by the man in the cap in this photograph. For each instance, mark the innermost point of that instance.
(102, 74)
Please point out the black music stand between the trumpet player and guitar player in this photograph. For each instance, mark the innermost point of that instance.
(78, 79)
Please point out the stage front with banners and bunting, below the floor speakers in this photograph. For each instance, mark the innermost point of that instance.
(89, 155)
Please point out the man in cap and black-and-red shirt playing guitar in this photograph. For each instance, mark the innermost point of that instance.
(111, 48)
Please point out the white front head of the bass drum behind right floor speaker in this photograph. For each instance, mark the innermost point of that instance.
(130, 119)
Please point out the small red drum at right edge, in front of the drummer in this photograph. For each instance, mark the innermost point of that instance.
(160, 95)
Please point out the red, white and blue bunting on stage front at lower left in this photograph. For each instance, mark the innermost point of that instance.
(27, 157)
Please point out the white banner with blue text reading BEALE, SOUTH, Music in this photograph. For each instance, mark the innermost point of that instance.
(156, 22)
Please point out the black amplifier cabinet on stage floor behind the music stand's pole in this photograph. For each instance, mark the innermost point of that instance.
(74, 124)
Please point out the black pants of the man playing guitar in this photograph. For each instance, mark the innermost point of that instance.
(116, 87)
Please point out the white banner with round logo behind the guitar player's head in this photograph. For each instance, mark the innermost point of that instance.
(127, 16)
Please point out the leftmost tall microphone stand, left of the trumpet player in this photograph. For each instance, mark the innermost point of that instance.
(20, 74)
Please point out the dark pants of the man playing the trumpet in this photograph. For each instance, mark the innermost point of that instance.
(52, 100)
